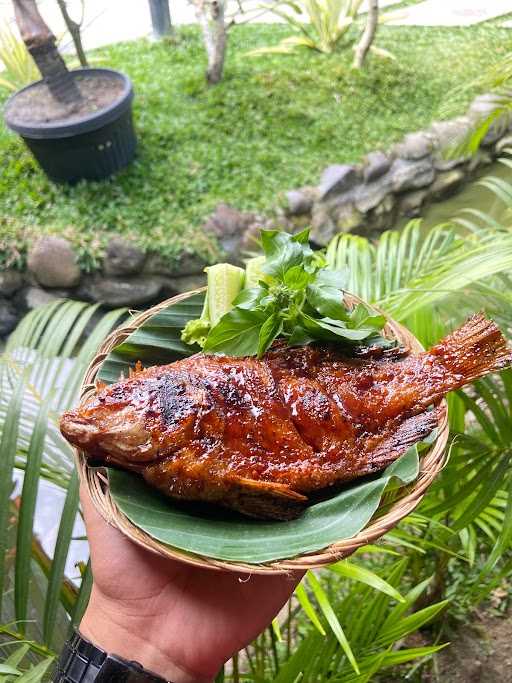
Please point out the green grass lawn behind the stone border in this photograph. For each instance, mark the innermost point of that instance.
(272, 124)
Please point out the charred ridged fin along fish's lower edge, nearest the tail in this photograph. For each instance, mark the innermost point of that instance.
(410, 432)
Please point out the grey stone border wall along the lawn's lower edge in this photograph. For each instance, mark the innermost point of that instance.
(366, 199)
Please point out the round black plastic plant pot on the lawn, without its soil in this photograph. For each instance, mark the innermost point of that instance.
(89, 148)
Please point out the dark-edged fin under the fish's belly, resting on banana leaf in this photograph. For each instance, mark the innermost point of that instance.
(264, 500)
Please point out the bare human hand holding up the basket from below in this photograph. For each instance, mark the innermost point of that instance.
(177, 620)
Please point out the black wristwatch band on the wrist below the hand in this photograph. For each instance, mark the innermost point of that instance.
(83, 662)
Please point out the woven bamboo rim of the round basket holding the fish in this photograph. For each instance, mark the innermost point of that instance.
(390, 512)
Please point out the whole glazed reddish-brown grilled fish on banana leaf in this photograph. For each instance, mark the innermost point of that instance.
(260, 436)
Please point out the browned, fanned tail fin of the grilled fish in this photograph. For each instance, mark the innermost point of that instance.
(475, 349)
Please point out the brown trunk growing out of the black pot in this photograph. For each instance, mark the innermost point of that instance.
(41, 44)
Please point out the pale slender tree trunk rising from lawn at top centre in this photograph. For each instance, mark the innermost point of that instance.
(210, 15)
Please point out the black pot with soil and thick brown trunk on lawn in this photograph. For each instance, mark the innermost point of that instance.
(78, 124)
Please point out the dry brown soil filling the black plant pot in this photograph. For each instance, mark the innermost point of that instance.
(37, 105)
